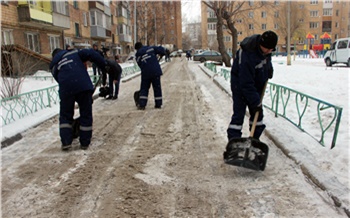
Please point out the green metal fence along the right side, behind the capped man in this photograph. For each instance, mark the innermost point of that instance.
(319, 119)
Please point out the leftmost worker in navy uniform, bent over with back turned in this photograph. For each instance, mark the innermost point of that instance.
(68, 69)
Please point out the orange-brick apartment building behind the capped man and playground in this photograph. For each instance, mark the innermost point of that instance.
(307, 17)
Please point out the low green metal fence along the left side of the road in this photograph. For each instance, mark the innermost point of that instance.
(17, 107)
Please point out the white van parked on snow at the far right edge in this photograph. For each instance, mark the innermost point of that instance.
(339, 52)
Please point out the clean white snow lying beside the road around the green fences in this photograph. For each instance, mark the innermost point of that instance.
(309, 76)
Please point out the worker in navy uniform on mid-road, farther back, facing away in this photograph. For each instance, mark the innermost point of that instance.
(146, 57)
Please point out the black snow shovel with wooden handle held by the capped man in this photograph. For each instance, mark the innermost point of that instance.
(247, 152)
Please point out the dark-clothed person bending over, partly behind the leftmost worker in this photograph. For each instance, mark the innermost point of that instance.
(114, 71)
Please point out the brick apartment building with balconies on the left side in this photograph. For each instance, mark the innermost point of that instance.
(42, 26)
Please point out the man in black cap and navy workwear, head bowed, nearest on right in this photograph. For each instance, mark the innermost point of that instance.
(250, 71)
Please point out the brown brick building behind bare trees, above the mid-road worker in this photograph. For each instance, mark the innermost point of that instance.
(157, 22)
